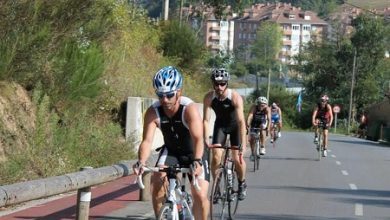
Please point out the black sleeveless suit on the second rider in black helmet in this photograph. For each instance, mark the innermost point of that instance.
(226, 121)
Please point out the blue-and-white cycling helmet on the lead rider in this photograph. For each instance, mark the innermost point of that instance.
(167, 79)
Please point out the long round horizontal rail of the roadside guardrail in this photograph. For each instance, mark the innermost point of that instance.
(51, 186)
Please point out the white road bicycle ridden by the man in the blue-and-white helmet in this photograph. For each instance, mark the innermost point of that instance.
(178, 203)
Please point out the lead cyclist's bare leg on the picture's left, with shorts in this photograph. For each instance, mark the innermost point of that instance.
(158, 182)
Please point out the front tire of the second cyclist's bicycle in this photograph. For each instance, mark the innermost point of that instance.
(218, 198)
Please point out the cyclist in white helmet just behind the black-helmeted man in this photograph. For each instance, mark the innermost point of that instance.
(258, 117)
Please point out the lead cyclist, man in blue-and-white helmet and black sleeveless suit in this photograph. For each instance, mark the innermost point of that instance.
(181, 125)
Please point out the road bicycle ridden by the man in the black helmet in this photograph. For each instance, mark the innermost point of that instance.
(224, 193)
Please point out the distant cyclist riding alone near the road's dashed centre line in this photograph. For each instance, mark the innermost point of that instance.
(322, 113)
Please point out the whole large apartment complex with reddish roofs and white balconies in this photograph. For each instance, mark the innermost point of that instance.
(231, 32)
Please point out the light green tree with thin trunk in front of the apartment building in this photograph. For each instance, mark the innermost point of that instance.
(266, 47)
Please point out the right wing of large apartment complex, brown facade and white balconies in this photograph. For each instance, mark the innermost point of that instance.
(298, 26)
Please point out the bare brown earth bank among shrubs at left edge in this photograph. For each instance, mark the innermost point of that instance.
(17, 118)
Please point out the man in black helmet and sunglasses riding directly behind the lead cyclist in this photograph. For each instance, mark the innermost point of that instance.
(229, 110)
